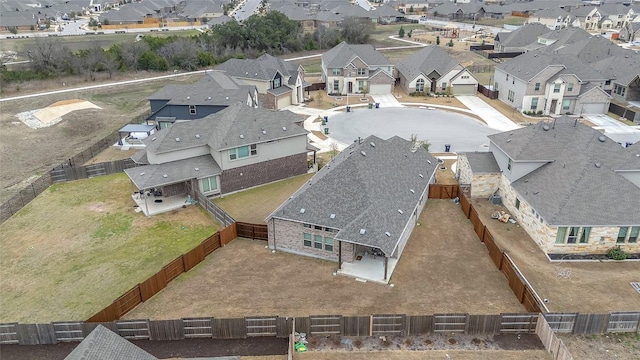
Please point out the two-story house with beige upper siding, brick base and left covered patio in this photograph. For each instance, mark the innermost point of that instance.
(236, 148)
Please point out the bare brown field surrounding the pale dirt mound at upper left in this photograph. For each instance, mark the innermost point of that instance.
(20, 159)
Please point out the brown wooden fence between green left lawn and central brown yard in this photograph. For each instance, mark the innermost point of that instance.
(146, 289)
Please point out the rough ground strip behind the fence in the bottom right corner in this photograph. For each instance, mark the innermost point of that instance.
(625, 346)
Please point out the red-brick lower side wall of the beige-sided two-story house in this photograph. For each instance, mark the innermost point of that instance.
(261, 173)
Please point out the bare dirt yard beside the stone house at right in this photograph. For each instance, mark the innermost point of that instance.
(592, 287)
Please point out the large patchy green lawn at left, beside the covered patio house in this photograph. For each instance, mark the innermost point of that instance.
(79, 245)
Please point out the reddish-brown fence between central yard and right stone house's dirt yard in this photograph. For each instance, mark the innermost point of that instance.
(517, 282)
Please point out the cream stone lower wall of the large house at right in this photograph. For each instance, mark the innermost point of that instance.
(601, 238)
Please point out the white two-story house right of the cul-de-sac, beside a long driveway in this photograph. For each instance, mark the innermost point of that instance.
(551, 83)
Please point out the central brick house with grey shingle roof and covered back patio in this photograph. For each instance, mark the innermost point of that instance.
(359, 210)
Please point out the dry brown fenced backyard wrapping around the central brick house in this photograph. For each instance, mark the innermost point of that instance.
(431, 277)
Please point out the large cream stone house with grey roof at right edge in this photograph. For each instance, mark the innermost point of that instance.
(572, 189)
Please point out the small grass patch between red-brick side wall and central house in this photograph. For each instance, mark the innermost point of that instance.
(254, 205)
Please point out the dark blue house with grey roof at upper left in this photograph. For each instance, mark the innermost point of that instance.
(212, 93)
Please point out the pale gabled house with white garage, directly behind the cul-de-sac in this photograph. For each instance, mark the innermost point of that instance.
(433, 70)
